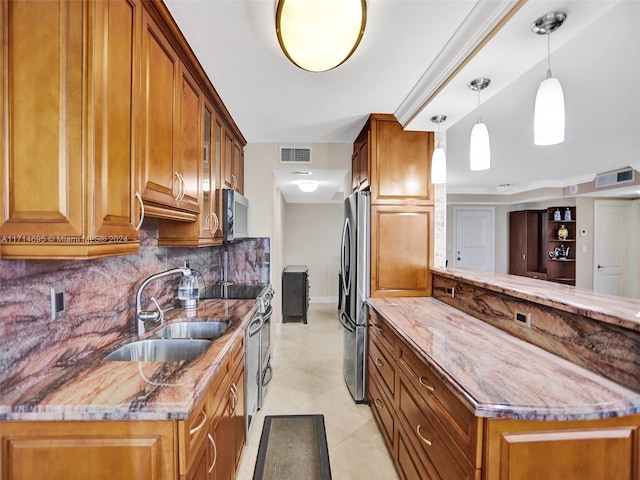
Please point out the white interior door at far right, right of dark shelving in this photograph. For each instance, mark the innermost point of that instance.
(612, 219)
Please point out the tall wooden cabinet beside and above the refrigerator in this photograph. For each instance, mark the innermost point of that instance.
(396, 165)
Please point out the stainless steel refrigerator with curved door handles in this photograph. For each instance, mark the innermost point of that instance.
(354, 265)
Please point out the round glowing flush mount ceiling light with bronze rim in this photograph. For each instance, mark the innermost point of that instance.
(319, 35)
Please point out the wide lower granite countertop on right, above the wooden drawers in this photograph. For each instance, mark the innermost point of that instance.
(497, 375)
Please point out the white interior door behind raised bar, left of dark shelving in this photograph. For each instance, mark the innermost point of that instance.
(474, 238)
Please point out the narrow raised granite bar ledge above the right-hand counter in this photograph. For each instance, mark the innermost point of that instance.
(621, 311)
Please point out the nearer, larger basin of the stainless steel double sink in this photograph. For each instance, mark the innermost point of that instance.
(159, 350)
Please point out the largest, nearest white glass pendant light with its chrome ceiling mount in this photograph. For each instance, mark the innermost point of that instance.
(548, 122)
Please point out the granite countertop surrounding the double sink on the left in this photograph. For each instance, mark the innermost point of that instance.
(95, 389)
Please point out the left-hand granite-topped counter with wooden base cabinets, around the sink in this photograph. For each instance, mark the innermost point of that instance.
(142, 420)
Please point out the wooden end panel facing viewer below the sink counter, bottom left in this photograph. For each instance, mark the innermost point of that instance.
(78, 450)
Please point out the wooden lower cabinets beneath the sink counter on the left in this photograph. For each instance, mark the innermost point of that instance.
(206, 446)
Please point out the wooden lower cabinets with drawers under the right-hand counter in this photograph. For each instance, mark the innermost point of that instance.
(432, 434)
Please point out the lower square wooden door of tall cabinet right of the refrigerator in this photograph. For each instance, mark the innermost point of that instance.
(401, 250)
